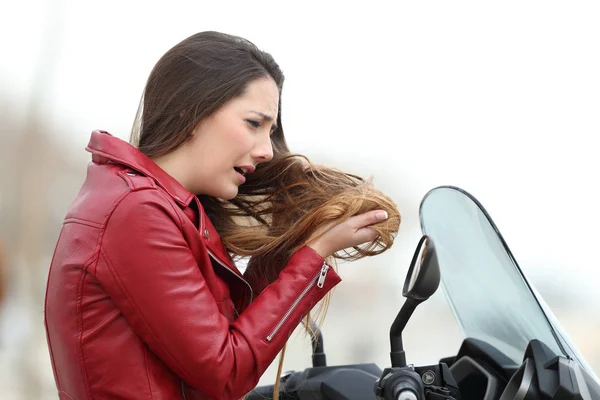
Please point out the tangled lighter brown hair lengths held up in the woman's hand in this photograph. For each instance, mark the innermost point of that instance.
(288, 204)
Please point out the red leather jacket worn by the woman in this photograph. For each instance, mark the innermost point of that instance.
(144, 302)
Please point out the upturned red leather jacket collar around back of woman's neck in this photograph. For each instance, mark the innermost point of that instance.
(107, 148)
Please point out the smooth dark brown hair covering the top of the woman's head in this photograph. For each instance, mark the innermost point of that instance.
(193, 80)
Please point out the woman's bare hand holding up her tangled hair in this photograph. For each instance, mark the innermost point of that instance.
(352, 232)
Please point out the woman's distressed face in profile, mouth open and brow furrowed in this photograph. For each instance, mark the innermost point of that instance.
(233, 141)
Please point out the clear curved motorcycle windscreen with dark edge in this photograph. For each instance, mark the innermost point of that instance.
(486, 289)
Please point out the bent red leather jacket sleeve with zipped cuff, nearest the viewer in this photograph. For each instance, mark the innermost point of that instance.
(147, 268)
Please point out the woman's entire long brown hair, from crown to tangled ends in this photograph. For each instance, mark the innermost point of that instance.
(287, 202)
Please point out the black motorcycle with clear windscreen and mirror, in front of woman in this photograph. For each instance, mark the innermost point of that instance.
(514, 349)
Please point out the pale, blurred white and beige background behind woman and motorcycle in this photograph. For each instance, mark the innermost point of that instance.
(500, 99)
